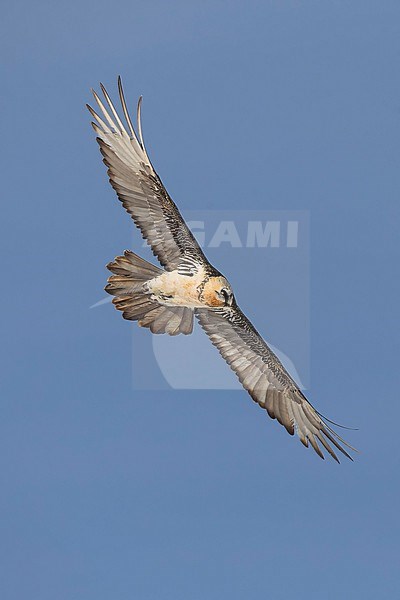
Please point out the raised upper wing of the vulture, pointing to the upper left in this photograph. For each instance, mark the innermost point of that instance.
(138, 186)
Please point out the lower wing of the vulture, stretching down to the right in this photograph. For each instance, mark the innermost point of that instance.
(264, 377)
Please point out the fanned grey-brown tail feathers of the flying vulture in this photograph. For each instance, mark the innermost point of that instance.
(127, 284)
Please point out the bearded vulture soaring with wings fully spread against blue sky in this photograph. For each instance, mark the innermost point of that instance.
(166, 299)
